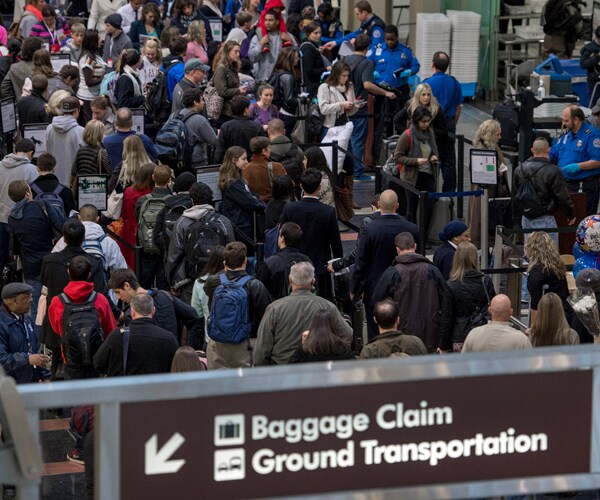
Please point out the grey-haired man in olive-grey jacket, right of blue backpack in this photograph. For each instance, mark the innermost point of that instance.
(280, 331)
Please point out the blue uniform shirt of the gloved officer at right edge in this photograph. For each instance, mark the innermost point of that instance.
(576, 148)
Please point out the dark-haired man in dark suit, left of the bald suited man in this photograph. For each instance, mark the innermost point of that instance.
(320, 232)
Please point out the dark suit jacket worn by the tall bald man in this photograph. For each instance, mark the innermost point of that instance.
(377, 251)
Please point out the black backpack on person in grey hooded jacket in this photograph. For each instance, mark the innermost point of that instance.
(202, 236)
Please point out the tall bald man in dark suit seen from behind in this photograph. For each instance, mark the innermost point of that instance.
(376, 252)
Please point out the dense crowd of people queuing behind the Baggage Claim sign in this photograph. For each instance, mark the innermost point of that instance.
(166, 277)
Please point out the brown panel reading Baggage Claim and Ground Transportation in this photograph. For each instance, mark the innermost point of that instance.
(358, 437)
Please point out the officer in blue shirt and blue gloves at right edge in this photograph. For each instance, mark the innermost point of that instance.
(577, 153)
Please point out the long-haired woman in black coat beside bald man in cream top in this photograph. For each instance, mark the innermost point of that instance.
(468, 297)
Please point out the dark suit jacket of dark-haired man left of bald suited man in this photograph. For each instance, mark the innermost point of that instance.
(320, 233)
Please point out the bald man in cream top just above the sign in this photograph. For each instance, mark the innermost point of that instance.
(497, 335)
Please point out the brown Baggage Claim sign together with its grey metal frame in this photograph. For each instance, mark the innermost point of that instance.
(467, 426)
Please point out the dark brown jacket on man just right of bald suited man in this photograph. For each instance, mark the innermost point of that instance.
(418, 287)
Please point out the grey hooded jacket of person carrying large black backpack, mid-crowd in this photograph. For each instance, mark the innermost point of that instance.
(176, 269)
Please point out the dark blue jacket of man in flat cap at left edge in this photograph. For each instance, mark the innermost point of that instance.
(18, 339)
